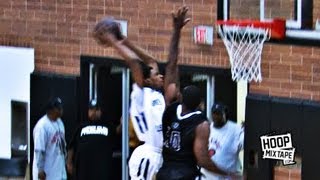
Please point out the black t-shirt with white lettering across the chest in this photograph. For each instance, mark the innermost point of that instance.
(92, 144)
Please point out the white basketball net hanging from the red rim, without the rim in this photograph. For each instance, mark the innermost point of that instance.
(244, 46)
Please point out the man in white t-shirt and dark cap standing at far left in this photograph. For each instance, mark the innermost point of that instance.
(50, 145)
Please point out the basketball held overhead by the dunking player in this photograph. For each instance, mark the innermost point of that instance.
(107, 32)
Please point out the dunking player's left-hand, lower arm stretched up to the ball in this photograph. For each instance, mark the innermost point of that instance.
(104, 37)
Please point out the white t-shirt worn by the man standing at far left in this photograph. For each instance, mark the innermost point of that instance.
(49, 137)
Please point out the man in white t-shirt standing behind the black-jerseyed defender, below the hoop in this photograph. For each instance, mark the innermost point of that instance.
(225, 142)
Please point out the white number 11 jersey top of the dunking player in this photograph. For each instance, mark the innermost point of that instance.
(146, 110)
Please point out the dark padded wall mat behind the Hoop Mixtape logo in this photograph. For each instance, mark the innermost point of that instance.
(267, 115)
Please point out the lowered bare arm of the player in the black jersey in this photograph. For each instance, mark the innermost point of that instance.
(200, 148)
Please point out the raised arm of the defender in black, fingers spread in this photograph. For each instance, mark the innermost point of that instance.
(171, 77)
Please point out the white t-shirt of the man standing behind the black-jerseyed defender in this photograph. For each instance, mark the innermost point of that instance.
(225, 143)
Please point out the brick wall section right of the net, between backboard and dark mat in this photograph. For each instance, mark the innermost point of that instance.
(290, 71)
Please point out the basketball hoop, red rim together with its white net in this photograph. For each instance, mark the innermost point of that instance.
(244, 43)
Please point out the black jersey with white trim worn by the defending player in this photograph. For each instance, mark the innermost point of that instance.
(179, 134)
